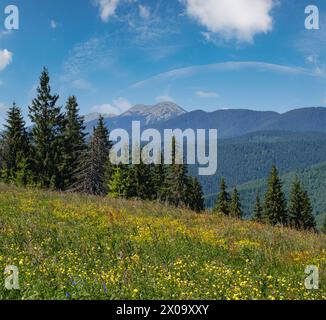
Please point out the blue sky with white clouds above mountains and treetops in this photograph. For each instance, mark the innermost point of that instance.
(200, 54)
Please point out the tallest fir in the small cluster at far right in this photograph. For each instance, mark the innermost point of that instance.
(275, 204)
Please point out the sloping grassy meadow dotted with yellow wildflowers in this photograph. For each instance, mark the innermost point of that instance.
(78, 247)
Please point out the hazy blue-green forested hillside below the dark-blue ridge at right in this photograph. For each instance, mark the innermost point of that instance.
(251, 157)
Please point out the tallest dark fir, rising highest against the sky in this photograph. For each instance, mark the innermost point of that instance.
(47, 135)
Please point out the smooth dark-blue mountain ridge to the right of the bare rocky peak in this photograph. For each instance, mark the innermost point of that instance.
(235, 123)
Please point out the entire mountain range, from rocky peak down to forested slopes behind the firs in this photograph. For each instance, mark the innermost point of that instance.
(250, 142)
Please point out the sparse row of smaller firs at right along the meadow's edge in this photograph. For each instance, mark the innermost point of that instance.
(297, 213)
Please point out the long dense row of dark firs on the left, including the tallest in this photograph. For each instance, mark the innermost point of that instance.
(55, 153)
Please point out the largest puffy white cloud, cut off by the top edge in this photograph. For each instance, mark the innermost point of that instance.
(233, 19)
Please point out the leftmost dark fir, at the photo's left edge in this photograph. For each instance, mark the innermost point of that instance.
(15, 150)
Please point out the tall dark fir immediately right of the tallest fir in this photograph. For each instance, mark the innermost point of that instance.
(74, 141)
